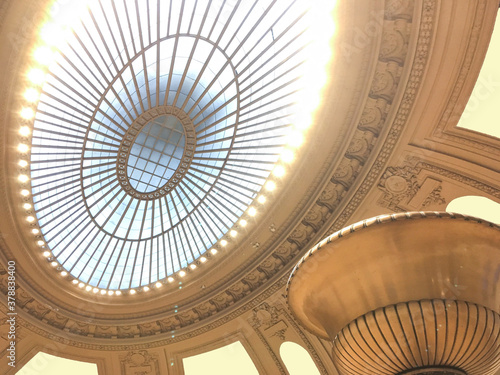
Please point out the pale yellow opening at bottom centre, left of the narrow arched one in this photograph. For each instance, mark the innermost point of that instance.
(227, 360)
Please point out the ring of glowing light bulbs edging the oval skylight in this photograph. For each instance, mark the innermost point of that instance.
(35, 77)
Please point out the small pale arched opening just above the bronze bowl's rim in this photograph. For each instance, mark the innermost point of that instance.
(477, 206)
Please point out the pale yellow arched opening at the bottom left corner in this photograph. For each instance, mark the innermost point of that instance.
(47, 364)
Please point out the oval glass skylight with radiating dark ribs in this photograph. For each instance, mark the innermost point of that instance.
(157, 126)
